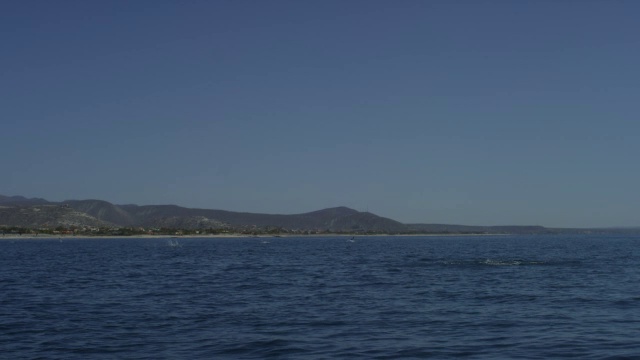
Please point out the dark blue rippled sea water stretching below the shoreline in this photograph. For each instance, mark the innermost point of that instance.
(375, 298)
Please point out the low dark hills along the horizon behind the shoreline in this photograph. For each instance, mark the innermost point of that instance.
(37, 213)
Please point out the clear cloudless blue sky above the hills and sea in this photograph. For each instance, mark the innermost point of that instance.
(464, 112)
